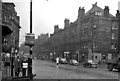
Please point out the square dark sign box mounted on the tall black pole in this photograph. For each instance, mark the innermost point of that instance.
(29, 39)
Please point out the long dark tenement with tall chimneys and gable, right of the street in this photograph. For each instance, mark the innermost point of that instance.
(93, 35)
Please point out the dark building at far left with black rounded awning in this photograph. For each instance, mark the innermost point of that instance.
(9, 26)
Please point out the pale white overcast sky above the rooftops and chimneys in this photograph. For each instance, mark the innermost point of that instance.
(47, 13)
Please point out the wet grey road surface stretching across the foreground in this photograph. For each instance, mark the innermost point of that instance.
(48, 70)
